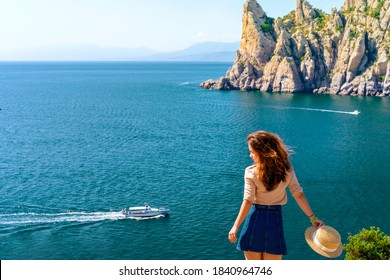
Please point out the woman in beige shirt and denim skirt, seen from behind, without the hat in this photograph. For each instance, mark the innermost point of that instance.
(262, 237)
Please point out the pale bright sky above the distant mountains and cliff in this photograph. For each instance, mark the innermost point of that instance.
(162, 25)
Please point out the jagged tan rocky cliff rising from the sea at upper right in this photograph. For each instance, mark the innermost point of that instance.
(345, 52)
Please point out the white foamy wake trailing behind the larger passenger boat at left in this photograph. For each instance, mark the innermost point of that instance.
(42, 218)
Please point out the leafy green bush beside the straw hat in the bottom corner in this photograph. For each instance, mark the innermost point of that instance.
(368, 245)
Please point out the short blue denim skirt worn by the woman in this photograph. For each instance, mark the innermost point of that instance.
(263, 231)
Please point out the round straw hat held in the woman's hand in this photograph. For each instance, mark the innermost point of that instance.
(325, 240)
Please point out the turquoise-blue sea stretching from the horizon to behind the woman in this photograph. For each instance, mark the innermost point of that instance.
(80, 141)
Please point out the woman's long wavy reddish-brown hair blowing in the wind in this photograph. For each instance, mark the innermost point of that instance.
(273, 156)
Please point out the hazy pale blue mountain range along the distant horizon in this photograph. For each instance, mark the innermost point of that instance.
(206, 51)
